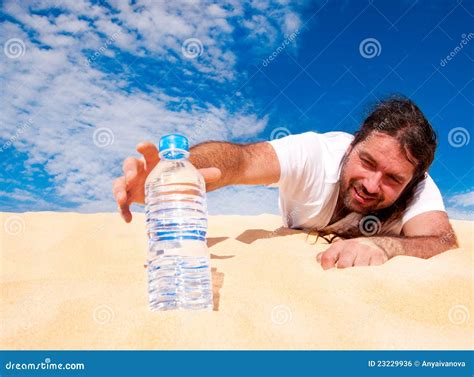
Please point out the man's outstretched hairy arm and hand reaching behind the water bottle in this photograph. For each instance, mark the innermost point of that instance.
(220, 163)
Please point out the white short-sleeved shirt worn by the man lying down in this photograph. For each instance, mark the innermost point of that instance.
(309, 181)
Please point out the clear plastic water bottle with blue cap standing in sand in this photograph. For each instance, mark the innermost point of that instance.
(178, 263)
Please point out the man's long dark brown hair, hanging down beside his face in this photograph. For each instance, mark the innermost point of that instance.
(398, 117)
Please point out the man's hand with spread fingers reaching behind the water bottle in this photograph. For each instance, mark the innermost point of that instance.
(130, 188)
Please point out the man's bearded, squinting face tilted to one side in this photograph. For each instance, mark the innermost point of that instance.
(374, 174)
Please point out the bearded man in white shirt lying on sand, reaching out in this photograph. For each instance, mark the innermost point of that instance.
(371, 190)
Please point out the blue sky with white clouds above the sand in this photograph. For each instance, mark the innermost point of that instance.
(82, 83)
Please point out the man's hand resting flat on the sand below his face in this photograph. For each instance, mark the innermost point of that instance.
(353, 252)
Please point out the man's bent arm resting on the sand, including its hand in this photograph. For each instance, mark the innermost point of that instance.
(424, 236)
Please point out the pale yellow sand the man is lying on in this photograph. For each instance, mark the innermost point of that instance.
(76, 281)
